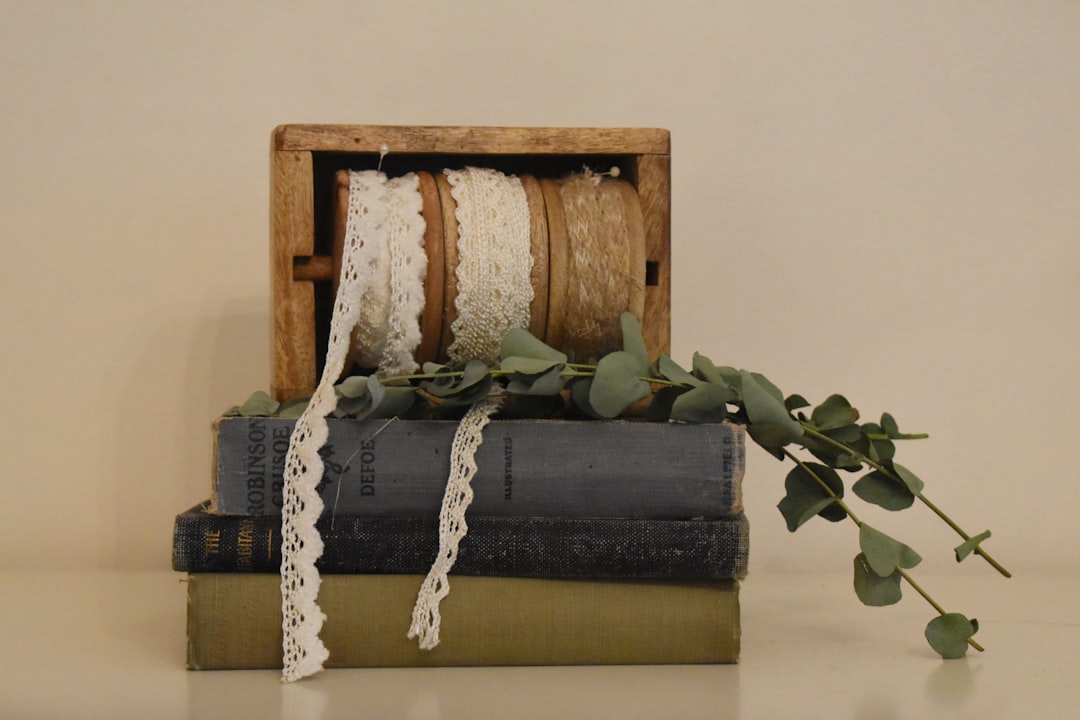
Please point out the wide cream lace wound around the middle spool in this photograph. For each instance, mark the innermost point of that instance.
(495, 262)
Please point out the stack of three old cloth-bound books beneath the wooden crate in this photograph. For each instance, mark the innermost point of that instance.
(619, 542)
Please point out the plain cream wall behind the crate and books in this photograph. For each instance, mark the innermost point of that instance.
(875, 199)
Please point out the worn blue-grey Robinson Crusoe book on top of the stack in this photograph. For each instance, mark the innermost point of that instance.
(526, 468)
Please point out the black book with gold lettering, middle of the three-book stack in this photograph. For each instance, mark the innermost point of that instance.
(497, 547)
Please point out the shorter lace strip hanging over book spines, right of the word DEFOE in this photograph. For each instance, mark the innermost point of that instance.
(452, 522)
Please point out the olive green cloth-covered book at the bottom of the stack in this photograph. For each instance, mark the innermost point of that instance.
(235, 622)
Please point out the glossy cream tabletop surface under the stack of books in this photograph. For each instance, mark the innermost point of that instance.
(111, 645)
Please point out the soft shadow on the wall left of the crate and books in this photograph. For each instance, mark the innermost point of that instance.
(180, 375)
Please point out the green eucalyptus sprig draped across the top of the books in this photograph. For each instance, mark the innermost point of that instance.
(542, 382)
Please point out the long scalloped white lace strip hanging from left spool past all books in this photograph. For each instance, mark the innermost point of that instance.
(304, 653)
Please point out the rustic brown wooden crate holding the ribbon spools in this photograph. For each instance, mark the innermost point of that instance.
(305, 159)
